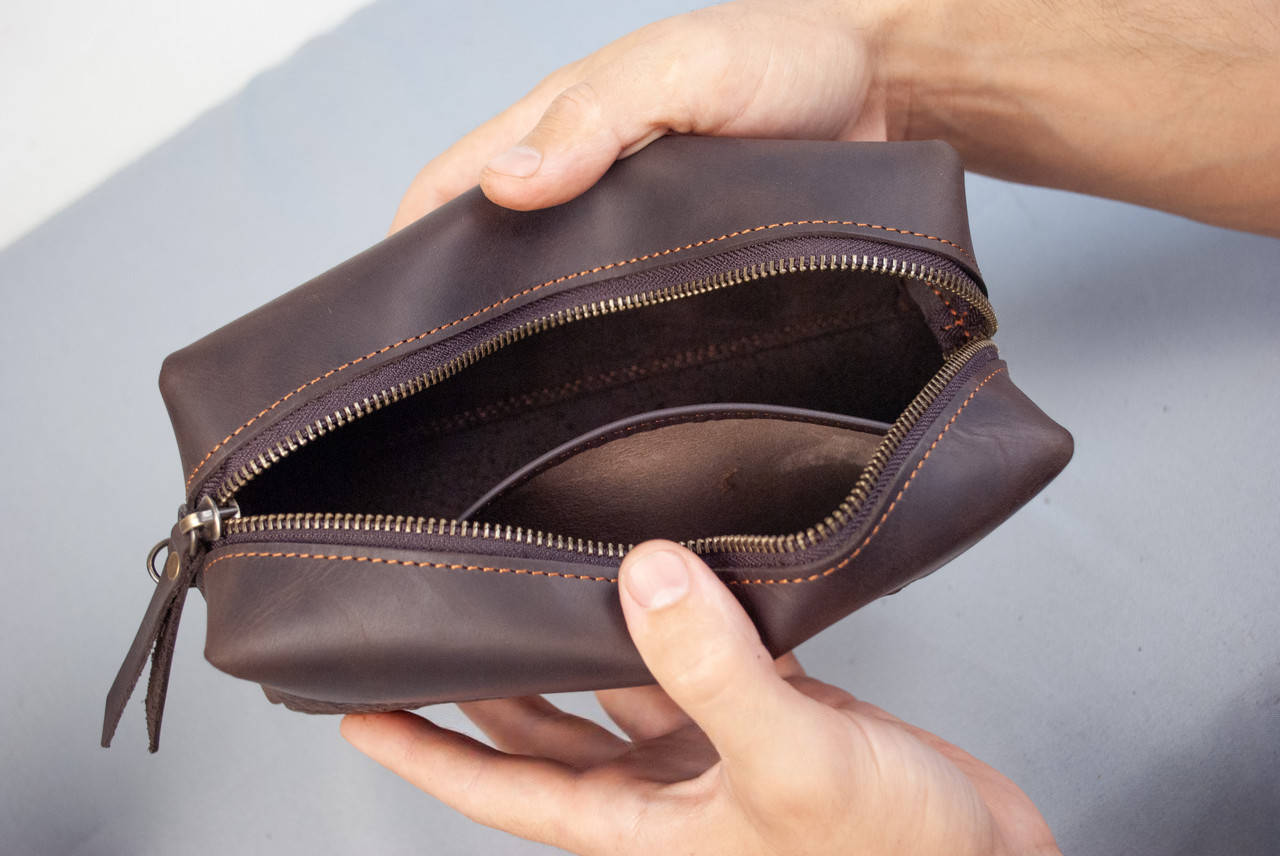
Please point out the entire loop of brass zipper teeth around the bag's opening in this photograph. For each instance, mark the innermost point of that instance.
(943, 281)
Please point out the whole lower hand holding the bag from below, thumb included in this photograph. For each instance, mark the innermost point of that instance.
(730, 754)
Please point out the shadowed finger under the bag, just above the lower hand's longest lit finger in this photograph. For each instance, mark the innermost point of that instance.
(533, 726)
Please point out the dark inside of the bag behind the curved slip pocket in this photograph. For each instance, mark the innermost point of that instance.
(842, 342)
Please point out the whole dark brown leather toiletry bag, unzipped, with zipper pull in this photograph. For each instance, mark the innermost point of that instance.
(412, 480)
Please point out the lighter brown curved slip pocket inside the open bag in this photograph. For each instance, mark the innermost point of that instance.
(691, 473)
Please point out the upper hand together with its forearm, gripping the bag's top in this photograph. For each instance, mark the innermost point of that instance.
(1168, 103)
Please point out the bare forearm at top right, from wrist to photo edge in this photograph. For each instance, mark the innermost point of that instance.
(1169, 104)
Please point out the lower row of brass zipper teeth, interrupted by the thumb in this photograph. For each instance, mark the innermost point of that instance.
(812, 537)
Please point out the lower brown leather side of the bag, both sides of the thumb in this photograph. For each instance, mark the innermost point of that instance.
(363, 626)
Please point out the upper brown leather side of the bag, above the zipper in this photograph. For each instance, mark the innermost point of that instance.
(472, 262)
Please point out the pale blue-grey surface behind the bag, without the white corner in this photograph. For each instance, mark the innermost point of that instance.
(1114, 648)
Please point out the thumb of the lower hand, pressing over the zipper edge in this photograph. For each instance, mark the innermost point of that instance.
(707, 656)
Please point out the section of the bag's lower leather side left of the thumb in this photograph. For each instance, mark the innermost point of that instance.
(413, 630)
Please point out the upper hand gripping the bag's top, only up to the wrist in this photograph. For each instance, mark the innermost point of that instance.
(798, 70)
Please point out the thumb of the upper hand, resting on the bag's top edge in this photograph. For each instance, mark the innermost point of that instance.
(584, 130)
